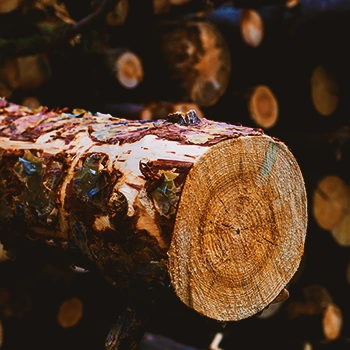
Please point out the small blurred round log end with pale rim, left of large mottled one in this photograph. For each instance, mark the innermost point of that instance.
(129, 70)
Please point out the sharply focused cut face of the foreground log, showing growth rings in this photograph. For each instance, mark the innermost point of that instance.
(240, 228)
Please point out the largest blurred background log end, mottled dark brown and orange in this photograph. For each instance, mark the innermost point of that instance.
(198, 56)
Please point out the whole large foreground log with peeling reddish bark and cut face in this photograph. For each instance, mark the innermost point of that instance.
(217, 210)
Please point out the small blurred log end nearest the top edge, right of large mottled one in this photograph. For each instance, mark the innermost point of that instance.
(252, 27)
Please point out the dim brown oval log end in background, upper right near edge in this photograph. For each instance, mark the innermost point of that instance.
(324, 91)
